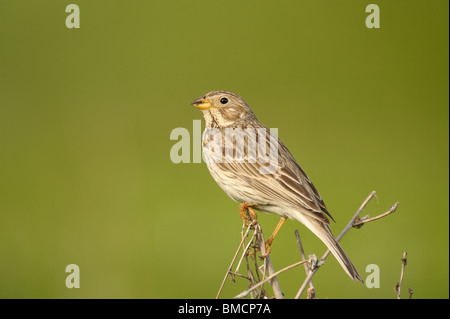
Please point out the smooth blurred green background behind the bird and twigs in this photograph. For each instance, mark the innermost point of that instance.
(86, 115)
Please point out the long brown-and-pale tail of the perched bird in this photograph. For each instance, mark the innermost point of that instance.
(322, 231)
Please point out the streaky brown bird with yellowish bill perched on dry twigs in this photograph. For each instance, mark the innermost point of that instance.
(270, 182)
